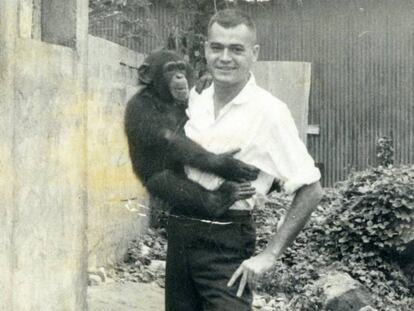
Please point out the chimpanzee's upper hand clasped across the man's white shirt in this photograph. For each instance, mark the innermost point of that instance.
(232, 169)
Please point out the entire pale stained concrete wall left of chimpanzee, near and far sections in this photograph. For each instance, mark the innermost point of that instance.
(54, 166)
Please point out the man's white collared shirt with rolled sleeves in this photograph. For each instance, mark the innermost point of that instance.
(263, 127)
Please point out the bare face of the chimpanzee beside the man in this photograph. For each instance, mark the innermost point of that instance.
(175, 74)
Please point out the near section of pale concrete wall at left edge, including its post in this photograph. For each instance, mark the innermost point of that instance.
(43, 150)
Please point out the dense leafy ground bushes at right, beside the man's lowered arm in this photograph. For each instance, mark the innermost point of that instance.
(359, 228)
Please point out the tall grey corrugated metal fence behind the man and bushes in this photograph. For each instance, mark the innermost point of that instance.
(362, 55)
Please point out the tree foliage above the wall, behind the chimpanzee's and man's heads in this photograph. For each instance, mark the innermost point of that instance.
(135, 20)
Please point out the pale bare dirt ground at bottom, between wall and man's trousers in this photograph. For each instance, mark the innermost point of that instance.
(126, 296)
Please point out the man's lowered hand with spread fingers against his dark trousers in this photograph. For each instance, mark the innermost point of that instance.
(251, 269)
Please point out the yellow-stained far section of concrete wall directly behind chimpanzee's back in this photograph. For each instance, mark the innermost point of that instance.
(114, 194)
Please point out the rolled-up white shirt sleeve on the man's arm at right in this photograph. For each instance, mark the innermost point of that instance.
(287, 157)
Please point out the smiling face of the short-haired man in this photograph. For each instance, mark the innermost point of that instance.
(230, 53)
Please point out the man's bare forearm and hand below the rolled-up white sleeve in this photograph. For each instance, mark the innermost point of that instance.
(305, 201)
